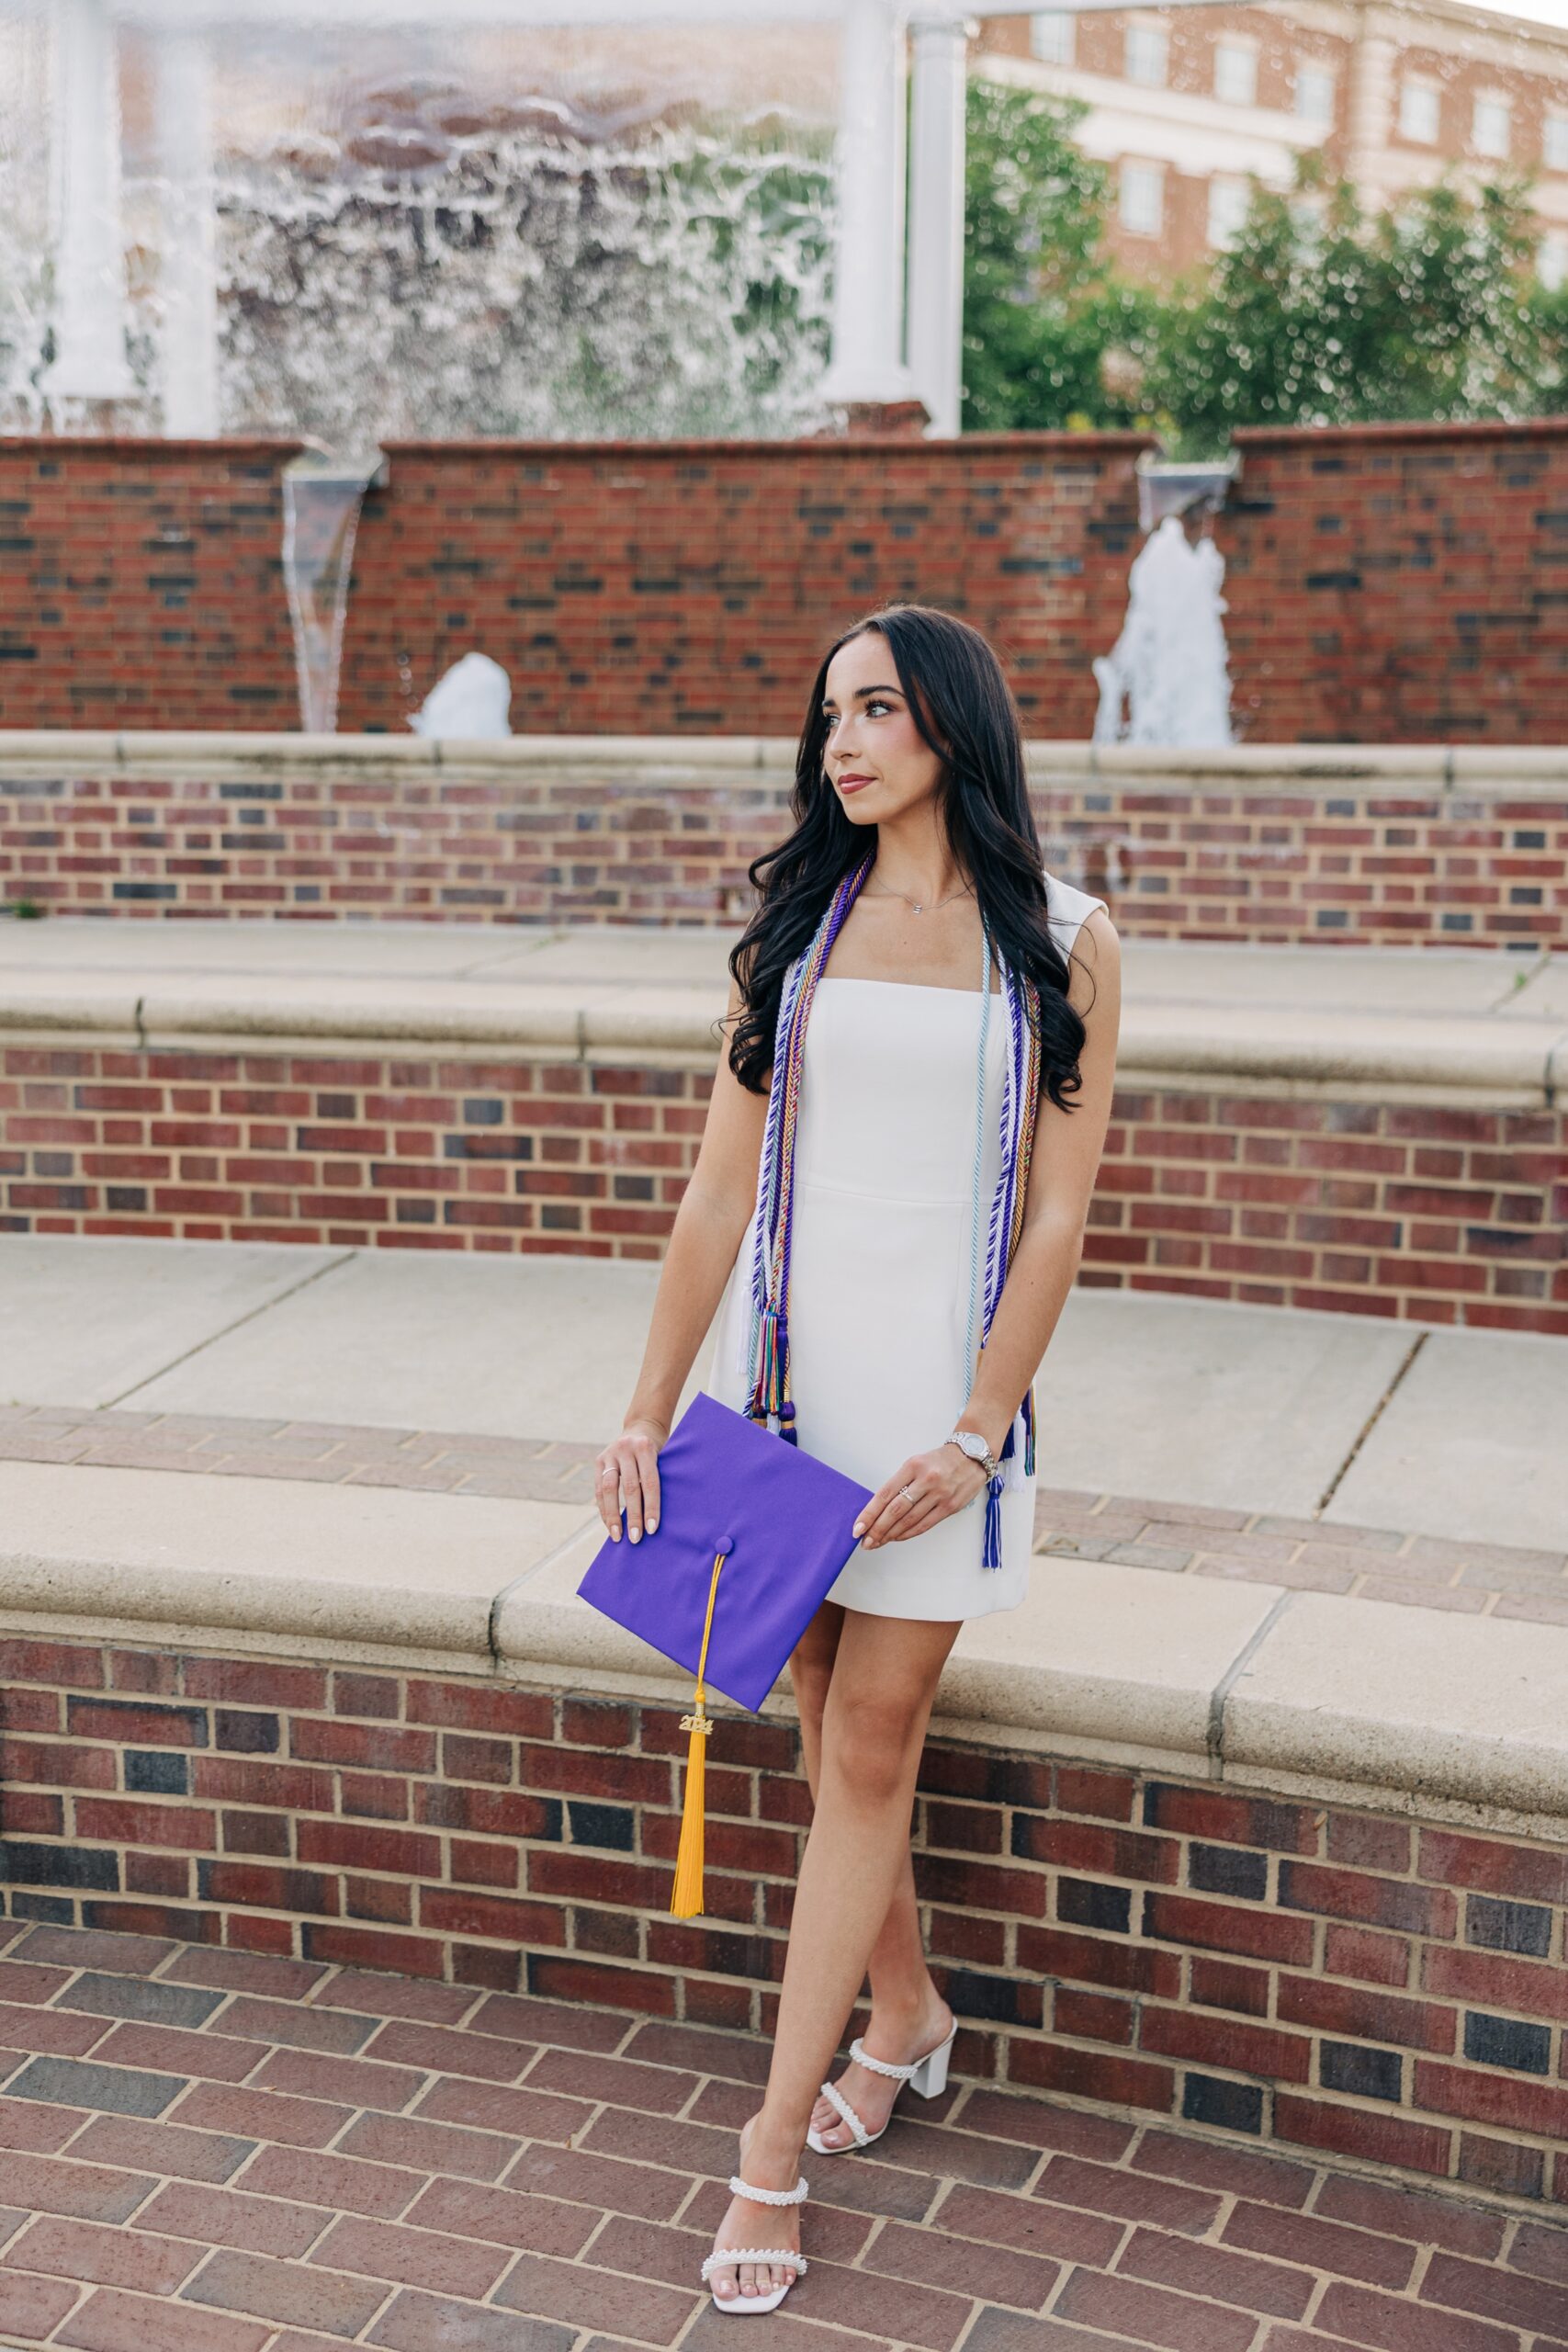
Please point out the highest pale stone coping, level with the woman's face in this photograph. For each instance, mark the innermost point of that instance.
(1466, 770)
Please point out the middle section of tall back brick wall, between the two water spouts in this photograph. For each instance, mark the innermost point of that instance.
(650, 589)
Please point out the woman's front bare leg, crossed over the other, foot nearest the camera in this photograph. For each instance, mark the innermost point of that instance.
(873, 1732)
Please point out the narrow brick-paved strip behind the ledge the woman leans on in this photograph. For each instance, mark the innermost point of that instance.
(1365, 1563)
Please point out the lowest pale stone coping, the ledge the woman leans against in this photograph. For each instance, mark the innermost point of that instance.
(1296, 1692)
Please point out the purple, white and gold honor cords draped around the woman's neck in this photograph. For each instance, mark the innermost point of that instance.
(768, 1349)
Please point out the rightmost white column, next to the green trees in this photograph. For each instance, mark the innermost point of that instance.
(937, 218)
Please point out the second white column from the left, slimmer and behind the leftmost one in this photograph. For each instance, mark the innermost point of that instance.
(189, 262)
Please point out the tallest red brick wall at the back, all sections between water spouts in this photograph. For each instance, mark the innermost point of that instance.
(1386, 584)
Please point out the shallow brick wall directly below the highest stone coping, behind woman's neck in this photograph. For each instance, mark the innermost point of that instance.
(1343, 860)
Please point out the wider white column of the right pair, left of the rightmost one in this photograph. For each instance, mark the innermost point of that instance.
(871, 168)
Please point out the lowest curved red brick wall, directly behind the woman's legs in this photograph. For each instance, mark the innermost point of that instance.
(1313, 1975)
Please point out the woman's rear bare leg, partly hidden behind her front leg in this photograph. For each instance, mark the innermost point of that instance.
(909, 2012)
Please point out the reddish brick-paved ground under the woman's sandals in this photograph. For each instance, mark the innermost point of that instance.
(208, 2151)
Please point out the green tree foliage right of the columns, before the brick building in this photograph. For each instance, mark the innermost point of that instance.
(1318, 314)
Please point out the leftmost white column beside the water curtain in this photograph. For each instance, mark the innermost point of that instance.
(88, 227)
